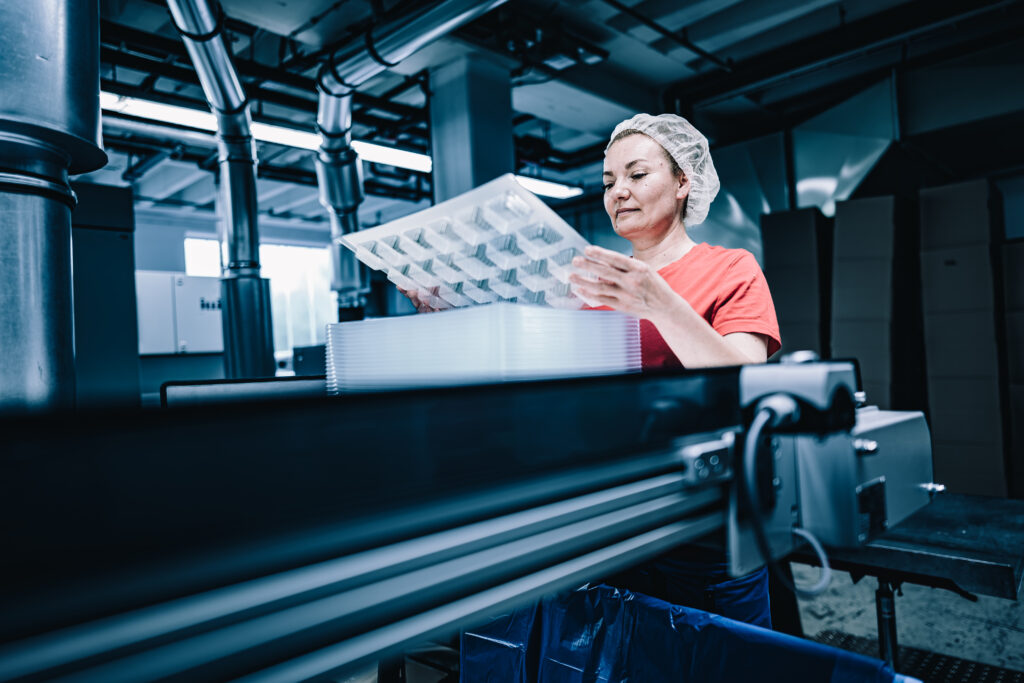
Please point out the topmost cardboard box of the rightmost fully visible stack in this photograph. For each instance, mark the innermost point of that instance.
(956, 216)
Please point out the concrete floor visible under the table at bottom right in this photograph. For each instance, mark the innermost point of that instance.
(991, 631)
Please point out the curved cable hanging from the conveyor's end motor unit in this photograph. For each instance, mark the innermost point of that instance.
(773, 412)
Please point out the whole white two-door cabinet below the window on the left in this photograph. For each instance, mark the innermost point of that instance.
(179, 314)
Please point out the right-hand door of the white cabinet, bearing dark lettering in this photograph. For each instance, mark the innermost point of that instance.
(197, 304)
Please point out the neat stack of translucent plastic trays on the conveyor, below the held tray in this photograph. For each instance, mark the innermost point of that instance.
(480, 345)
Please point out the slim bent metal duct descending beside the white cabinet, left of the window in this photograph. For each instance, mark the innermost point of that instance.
(248, 328)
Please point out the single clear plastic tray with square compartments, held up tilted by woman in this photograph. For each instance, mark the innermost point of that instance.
(496, 243)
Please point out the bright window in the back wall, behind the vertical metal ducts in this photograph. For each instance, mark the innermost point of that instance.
(302, 301)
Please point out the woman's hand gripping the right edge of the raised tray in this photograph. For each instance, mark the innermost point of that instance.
(624, 284)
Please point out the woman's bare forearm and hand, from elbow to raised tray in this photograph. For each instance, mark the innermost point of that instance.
(633, 287)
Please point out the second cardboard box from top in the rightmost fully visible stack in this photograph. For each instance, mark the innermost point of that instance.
(959, 279)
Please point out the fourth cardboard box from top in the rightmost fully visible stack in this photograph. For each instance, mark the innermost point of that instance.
(965, 410)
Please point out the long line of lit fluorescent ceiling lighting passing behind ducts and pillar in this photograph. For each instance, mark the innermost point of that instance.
(375, 154)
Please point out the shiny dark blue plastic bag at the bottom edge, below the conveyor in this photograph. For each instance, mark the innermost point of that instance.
(600, 634)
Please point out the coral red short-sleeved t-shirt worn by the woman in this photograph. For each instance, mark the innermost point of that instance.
(724, 286)
